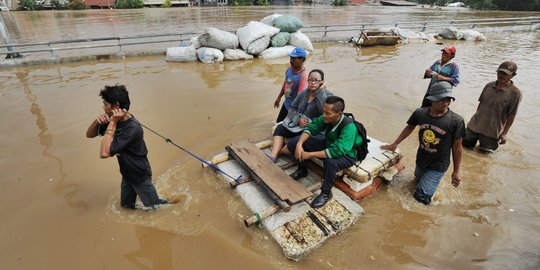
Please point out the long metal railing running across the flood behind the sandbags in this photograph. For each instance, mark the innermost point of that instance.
(317, 31)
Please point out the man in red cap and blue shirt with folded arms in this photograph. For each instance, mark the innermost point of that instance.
(442, 70)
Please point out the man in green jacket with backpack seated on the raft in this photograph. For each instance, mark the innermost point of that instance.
(337, 148)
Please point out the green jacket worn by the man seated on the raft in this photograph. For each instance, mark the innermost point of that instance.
(337, 145)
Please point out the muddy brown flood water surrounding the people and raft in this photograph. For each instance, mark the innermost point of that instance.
(59, 203)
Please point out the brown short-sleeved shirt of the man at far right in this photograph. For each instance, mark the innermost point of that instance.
(496, 104)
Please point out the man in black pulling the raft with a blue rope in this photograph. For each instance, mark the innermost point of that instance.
(123, 137)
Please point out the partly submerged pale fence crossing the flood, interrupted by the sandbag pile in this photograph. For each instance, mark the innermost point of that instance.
(108, 47)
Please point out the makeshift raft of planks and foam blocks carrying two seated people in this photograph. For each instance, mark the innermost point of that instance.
(281, 205)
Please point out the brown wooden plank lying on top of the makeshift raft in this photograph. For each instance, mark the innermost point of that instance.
(277, 184)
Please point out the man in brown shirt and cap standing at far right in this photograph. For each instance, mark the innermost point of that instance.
(496, 111)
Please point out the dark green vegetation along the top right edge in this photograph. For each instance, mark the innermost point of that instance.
(519, 5)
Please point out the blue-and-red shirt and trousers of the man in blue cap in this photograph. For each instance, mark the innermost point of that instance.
(294, 84)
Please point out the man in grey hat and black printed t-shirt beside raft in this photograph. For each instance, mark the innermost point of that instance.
(440, 132)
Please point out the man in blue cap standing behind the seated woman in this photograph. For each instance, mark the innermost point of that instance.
(295, 82)
